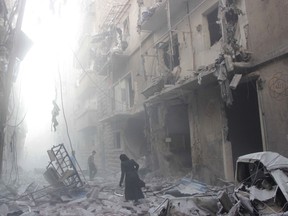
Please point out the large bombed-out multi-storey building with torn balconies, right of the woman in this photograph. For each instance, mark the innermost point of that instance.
(190, 85)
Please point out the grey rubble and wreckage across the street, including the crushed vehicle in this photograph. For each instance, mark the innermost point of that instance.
(261, 190)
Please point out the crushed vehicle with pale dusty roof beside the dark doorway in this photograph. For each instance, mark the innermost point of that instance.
(263, 185)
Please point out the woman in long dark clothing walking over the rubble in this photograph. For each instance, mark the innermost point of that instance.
(133, 183)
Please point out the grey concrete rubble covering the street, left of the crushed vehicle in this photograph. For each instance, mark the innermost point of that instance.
(104, 197)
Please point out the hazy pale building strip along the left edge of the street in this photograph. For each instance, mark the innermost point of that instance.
(14, 46)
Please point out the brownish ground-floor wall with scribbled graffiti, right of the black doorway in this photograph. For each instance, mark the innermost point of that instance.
(272, 94)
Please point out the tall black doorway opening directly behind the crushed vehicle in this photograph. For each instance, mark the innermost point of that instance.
(244, 131)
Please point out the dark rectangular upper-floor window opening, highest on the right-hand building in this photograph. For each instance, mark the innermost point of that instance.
(214, 28)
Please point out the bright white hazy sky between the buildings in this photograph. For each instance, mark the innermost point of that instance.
(53, 31)
